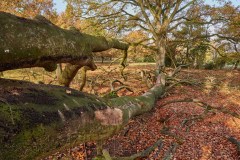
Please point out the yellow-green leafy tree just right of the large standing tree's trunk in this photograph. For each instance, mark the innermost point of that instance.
(192, 38)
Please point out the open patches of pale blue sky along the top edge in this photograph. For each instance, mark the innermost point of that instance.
(60, 5)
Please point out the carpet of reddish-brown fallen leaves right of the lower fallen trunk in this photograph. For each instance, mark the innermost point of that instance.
(188, 130)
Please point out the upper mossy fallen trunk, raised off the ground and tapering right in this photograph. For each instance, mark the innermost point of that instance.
(39, 43)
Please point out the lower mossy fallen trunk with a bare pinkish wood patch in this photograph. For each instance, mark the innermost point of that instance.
(36, 120)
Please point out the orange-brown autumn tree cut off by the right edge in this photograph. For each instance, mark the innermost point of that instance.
(228, 33)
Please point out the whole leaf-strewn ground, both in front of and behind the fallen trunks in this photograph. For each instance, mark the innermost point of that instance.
(193, 120)
